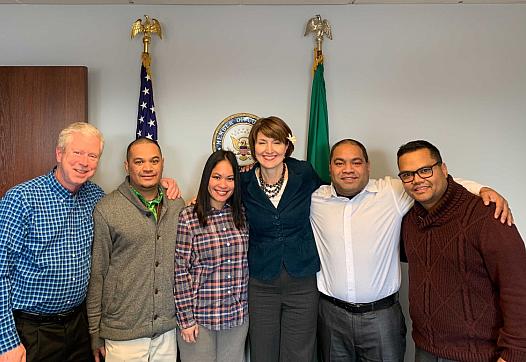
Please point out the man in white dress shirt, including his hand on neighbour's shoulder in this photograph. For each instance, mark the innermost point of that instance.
(356, 224)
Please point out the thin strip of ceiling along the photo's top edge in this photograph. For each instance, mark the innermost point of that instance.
(255, 2)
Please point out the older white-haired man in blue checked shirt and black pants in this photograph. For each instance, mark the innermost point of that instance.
(46, 229)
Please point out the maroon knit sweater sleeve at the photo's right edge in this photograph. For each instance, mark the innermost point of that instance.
(505, 258)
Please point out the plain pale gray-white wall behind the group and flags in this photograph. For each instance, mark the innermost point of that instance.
(451, 74)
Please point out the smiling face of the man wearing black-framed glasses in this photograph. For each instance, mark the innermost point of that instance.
(426, 191)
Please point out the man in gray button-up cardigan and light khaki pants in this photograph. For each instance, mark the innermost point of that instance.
(131, 311)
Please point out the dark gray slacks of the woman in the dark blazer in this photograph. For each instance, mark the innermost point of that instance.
(283, 316)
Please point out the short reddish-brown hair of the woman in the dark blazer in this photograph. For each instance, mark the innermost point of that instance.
(273, 127)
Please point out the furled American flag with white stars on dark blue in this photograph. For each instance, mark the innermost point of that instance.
(146, 119)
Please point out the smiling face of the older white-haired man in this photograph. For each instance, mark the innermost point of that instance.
(77, 161)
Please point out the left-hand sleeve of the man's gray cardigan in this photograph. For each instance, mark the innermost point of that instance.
(100, 260)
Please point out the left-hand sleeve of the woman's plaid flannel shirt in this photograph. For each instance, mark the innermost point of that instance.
(184, 294)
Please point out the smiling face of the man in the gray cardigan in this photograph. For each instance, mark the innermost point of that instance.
(145, 168)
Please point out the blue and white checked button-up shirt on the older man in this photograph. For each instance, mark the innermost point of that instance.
(45, 247)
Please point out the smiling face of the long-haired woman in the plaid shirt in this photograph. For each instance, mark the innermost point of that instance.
(221, 184)
